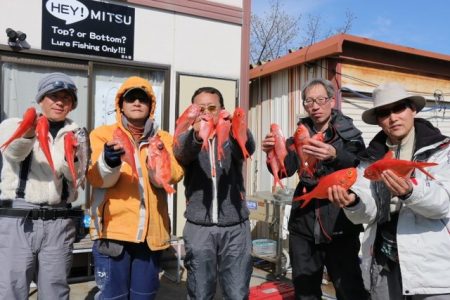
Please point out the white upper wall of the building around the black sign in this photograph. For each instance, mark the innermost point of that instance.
(188, 44)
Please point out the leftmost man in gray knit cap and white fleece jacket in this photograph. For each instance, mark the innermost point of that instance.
(37, 229)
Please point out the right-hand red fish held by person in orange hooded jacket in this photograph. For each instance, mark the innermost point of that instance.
(158, 163)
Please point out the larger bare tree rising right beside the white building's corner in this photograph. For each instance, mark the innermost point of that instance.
(272, 33)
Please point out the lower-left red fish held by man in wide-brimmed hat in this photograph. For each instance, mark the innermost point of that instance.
(345, 178)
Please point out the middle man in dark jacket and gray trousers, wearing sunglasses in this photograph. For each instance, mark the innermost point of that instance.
(217, 232)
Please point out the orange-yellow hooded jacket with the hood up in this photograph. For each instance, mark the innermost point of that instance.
(123, 208)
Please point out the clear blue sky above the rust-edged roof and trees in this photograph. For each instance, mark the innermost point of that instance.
(420, 24)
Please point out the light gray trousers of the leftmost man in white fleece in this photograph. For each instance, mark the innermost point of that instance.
(35, 250)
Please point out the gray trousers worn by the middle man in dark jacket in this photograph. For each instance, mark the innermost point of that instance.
(218, 252)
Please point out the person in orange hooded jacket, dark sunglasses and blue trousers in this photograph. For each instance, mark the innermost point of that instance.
(130, 221)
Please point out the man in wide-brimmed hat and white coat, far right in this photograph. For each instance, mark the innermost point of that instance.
(407, 240)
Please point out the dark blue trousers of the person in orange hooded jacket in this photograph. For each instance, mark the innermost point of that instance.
(134, 274)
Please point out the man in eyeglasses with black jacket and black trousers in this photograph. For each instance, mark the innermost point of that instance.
(320, 234)
